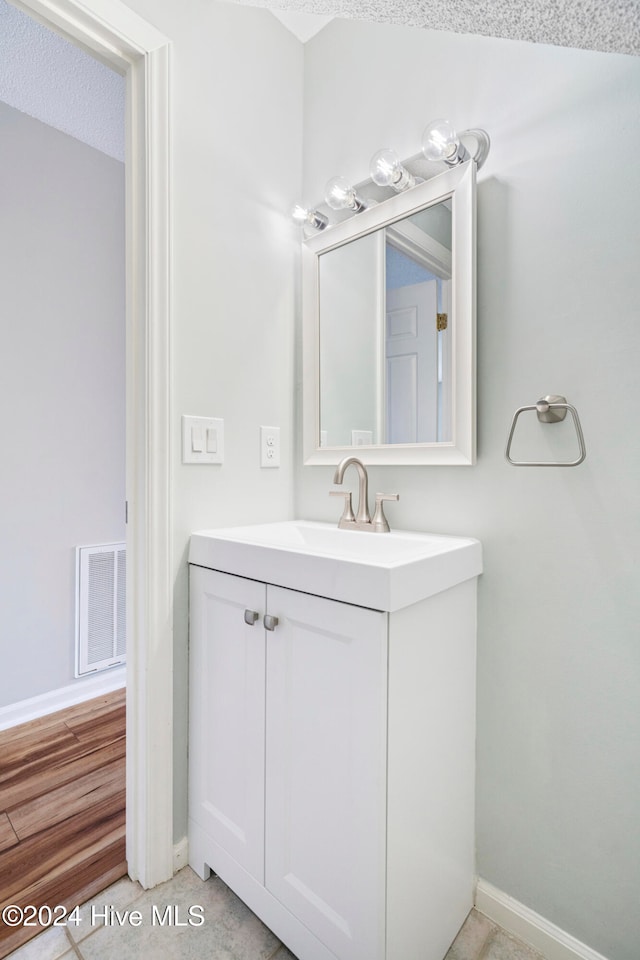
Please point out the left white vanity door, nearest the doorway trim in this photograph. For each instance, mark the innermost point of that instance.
(227, 704)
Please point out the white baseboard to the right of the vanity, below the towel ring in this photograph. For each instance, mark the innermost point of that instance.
(552, 942)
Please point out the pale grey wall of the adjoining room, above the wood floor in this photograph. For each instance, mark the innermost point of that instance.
(61, 386)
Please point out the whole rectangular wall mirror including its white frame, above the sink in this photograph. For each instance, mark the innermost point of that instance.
(389, 329)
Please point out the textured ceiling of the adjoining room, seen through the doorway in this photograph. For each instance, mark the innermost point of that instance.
(48, 78)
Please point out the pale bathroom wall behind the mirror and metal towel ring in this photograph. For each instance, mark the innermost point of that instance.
(558, 312)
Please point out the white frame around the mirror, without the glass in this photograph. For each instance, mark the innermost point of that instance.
(459, 183)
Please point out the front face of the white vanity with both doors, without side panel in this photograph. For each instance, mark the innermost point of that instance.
(288, 751)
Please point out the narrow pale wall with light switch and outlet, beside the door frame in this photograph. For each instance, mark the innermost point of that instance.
(236, 87)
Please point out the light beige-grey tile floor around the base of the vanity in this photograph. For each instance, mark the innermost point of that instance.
(229, 932)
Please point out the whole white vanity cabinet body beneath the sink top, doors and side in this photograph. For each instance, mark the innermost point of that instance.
(331, 764)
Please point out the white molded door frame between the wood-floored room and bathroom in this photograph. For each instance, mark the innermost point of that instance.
(117, 36)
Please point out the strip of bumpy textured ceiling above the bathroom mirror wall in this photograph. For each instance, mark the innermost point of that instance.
(611, 26)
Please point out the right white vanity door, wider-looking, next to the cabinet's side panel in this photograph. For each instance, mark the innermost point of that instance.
(326, 769)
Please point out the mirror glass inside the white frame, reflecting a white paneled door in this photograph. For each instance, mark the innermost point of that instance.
(385, 330)
